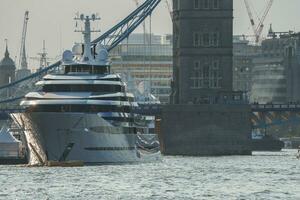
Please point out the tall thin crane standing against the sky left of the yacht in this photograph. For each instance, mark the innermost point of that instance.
(22, 58)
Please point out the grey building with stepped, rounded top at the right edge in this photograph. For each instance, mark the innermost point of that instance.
(276, 74)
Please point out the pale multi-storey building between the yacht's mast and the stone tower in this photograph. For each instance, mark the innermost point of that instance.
(147, 61)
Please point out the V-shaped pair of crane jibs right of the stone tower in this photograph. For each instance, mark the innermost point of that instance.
(257, 29)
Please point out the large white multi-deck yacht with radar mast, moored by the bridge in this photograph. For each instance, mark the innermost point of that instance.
(85, 113)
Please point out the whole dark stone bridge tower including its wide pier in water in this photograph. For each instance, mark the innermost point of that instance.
(205, 116)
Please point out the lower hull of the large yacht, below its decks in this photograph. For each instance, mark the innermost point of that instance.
(84, 137)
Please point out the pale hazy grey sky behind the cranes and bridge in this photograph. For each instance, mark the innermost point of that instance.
(52, 20)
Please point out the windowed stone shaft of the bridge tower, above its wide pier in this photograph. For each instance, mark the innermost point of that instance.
(202, 50)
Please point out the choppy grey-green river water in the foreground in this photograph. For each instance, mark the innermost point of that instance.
(262, 176)
